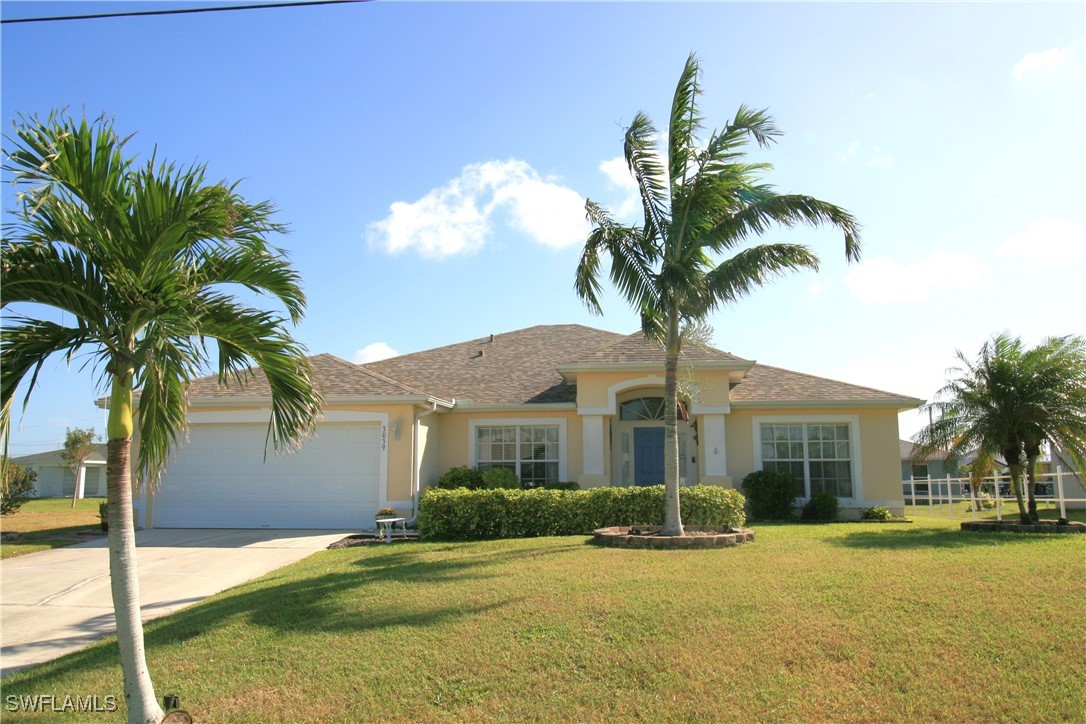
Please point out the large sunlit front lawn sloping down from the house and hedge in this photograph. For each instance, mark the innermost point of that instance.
(842, 623)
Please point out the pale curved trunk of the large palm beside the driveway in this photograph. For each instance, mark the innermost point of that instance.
(124, 574)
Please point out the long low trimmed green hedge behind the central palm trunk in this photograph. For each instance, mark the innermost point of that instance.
(464, 515)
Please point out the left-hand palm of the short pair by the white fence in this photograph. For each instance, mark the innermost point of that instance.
(982, 410)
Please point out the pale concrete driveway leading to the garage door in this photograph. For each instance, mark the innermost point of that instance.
(57, 602)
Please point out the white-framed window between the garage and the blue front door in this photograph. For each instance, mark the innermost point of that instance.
(531, 451)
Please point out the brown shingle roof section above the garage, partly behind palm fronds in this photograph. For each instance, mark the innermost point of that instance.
(334, 377)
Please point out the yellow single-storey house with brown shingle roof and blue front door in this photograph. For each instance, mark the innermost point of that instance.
(552, 403)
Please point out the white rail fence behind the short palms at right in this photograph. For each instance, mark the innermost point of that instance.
(938, 497)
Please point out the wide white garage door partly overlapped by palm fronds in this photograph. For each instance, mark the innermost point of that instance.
(221, 480)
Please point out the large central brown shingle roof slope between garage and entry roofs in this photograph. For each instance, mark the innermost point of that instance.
(515, 367)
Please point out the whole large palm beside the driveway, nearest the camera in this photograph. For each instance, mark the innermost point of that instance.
(138, 263)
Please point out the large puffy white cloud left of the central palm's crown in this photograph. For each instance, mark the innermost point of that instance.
(459, 218)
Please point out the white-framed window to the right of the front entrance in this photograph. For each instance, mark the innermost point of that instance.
(818, 455)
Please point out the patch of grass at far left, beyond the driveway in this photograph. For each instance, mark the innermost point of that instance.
(48, 524)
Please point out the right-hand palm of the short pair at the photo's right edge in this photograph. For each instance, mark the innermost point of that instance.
(1055, 404)
